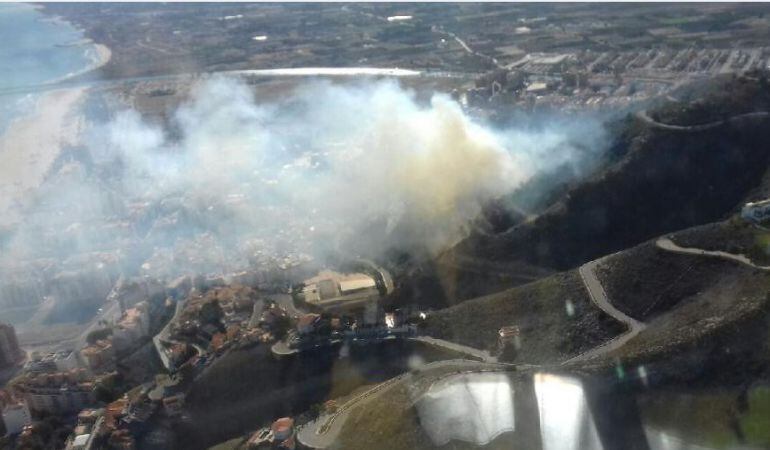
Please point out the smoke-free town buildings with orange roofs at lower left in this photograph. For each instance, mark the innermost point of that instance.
(120, 398)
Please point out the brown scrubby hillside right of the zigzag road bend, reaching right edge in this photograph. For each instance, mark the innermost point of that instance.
(707, 317)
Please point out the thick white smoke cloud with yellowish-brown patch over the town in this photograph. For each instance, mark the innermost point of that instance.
(354, 168)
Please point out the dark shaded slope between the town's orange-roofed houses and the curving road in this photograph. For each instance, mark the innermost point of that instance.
(248, 388)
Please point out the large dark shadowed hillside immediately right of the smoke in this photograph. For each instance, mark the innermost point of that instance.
(662, 181)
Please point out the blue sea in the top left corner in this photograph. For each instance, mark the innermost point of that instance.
(35, 49)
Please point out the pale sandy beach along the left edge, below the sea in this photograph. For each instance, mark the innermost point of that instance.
(32, 143)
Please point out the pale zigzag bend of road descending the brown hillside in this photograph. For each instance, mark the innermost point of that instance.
(599, 298)
